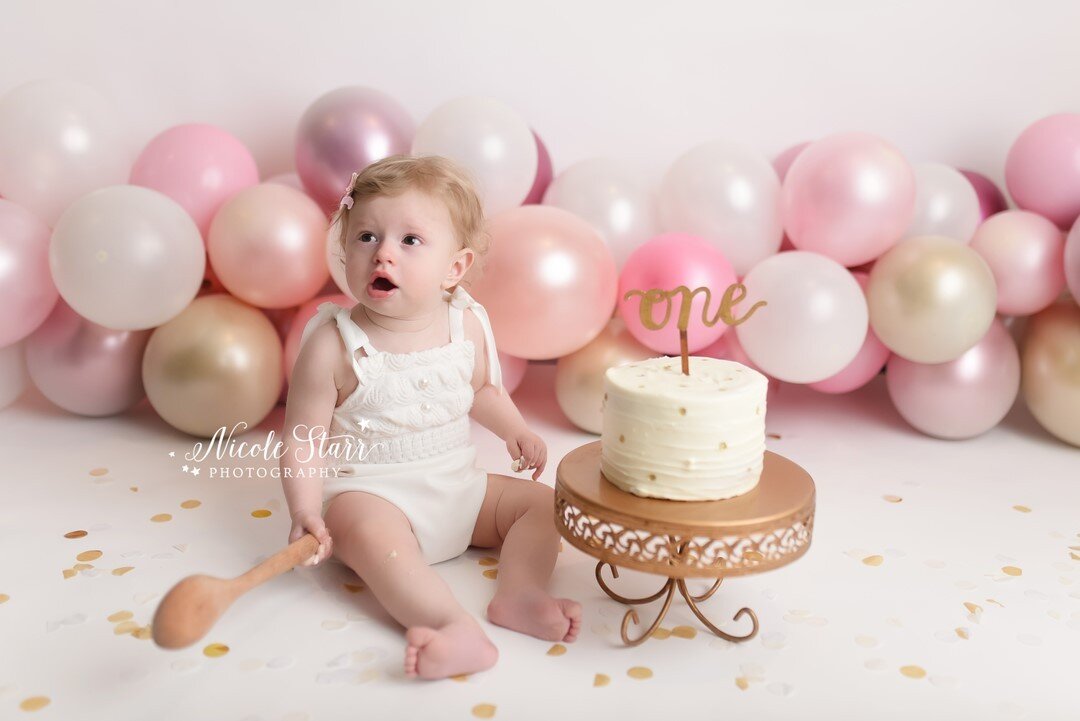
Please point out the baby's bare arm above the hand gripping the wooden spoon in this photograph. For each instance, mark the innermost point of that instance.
(309, 409)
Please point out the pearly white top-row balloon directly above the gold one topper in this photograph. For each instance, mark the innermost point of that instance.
(728, 195)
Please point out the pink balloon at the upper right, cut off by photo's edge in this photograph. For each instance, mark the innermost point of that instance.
(1043, 169)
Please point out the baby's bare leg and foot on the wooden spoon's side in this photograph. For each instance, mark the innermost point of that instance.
(375, 539)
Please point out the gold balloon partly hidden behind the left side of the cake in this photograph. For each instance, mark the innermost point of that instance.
(579, 376)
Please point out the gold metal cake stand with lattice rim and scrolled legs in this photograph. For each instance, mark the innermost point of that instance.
(758, 532)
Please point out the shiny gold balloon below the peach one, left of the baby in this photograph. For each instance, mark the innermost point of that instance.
(217, 364)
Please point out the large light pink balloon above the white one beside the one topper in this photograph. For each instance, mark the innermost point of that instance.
(849, 197)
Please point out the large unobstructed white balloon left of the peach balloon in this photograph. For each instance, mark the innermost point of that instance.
(127, 257)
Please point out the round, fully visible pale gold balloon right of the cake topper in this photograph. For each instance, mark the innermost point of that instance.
(931, 300)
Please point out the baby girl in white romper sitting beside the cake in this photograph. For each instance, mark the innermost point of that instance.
(400, 375)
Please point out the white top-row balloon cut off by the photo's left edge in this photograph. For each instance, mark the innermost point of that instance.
(60, 140)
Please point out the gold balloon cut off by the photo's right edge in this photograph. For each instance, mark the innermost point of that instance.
(1051, 370)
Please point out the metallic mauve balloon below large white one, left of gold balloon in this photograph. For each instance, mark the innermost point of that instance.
(84, 368)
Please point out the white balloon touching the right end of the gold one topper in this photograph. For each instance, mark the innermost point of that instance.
(816, 320)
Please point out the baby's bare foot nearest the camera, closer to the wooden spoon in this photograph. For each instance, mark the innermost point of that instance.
(461, 647)
